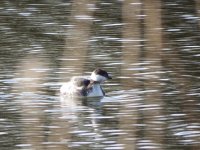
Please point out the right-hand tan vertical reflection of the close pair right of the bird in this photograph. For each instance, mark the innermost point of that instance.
(152, 85)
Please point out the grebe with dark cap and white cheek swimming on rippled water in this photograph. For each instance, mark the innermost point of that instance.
(86, 86)
